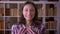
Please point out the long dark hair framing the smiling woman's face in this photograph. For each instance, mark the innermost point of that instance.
(23, 21)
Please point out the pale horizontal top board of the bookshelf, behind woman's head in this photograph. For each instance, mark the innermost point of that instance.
(36, 2)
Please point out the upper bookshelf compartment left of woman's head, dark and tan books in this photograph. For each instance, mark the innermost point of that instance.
(11, 9)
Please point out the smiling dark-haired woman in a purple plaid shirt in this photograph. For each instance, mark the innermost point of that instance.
(28, 24)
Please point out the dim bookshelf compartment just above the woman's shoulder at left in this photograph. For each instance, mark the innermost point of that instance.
(10, 21)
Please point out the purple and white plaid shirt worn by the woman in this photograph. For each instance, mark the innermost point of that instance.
(36, 30)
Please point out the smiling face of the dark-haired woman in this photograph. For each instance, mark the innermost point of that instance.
(28, 12)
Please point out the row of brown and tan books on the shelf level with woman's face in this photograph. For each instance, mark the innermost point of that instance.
(14, 12)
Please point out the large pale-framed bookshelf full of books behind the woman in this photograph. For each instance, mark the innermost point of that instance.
(10, 13)
